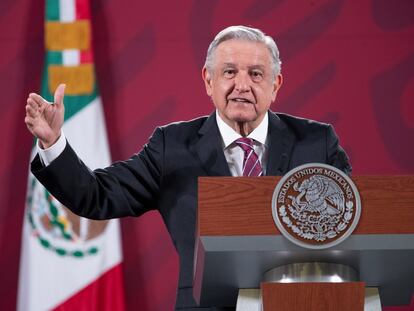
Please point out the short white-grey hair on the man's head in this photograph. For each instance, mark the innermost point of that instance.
(244, 33)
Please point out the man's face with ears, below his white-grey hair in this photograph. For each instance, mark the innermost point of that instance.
(242, 84)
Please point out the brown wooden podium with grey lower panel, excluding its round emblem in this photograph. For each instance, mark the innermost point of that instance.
(237, 242)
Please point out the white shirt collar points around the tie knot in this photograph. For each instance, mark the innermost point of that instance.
(229, 135)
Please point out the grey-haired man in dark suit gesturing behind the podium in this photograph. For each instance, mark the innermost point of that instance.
(242, 77)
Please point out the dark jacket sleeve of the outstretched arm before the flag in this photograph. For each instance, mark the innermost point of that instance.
(127, 188)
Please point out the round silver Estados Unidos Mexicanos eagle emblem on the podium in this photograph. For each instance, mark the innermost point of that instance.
(316, 206)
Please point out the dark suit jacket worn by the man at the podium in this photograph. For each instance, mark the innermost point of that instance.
(163, 176)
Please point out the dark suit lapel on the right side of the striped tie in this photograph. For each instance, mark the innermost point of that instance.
(281, 141)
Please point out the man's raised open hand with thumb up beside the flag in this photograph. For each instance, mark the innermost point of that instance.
(44, 119)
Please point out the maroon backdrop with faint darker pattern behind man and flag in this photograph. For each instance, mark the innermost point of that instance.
(350, 63)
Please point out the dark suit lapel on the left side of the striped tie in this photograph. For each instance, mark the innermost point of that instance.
(209, 149)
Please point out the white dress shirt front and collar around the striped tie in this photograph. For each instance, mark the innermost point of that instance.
(235, 154)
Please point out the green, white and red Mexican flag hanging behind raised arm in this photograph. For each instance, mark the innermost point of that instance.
(68, 262)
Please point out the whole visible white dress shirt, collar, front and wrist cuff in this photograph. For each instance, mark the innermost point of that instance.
(233, 153)
